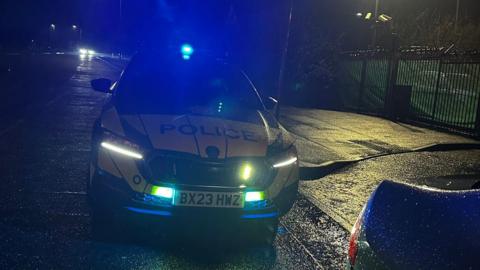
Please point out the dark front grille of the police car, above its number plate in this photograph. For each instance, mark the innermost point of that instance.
(201, 172)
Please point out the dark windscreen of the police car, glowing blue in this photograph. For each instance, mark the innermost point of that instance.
(175, 86)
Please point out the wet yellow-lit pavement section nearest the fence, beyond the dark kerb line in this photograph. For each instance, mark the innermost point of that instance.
(326, 136)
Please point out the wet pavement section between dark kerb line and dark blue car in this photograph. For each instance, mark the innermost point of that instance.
(343, 193)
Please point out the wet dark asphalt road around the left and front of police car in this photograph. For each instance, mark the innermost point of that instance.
(45, 221)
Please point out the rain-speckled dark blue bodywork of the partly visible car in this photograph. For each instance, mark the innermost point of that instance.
(410, 227)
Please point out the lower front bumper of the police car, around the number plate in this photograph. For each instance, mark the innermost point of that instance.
(114, 194)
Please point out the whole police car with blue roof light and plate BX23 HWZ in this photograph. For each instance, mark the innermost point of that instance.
(185, 136)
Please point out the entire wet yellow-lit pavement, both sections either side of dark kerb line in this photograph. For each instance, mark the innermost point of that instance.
(344, 156)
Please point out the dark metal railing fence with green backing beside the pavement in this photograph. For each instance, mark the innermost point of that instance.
(444, 88)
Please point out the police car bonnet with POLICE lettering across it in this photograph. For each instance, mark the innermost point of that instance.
(248, 135)
